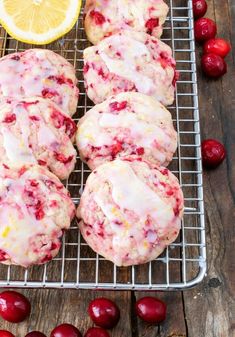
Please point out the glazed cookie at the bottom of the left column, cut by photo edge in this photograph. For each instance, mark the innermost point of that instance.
(35, 209)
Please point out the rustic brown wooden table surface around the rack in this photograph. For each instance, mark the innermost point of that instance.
(209, 309)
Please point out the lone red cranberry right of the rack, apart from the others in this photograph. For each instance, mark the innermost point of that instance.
(213, 153)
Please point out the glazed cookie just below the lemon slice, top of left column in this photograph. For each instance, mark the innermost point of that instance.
(40, 72)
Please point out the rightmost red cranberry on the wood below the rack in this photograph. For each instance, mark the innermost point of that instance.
(151, 309)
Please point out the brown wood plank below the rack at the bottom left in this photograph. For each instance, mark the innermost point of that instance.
(53, 307)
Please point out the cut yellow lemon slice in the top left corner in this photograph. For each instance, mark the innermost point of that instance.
(38, 21)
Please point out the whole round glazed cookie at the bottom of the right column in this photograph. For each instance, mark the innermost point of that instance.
(130, 211)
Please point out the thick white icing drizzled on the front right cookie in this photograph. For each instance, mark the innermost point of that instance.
(135, 195)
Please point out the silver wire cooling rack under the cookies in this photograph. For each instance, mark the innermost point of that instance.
(183, 263)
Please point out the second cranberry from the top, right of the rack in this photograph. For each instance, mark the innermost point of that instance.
(205, 29)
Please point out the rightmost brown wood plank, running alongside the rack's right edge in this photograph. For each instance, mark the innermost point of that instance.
(210, 307)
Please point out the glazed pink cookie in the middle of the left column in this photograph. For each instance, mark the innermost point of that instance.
(36, 130)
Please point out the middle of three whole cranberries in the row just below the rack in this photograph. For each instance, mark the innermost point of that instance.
(104, 313)
